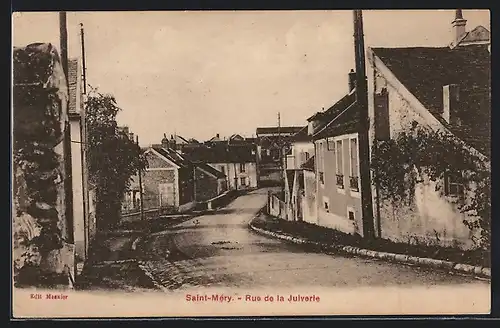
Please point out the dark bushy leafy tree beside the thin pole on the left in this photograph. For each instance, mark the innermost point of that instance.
(113, 157)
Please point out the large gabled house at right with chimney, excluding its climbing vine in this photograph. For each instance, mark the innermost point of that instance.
(442, 89)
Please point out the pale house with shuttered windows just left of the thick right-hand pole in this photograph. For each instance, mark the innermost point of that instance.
(335, 134)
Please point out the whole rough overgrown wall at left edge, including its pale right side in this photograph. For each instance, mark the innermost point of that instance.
(41, 183)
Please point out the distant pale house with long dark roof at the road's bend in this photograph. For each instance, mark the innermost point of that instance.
(236, 162)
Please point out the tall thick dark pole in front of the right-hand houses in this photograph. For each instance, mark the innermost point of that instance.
(364, 146)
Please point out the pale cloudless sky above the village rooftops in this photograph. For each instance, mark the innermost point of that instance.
(199, 73)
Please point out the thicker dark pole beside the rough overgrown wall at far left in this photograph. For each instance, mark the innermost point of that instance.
(68, 187)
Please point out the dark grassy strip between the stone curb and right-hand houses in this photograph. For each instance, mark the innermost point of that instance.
(330, 236)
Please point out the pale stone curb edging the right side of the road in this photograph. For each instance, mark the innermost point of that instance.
(479, 271)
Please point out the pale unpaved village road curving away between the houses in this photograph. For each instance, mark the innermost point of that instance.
(220, 250)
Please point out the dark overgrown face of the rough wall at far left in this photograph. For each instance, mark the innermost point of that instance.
(37, 130)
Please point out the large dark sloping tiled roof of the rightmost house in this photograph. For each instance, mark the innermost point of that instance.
(424, 71)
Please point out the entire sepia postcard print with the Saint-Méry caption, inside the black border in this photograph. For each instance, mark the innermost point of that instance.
(250, 163)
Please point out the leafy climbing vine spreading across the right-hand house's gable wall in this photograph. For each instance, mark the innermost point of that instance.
(399, 164)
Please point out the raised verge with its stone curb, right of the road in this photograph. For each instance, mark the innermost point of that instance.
(328, 240)
